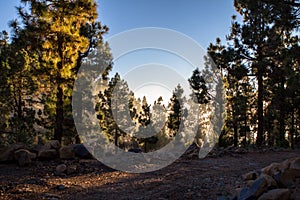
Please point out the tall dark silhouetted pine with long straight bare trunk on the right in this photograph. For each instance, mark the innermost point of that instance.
(251, 43)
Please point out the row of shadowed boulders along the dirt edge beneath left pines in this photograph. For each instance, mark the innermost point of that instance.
(24, 156)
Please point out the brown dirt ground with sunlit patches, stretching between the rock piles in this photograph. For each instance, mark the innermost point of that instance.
(205, 178)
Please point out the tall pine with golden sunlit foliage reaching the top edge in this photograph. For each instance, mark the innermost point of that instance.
(62, 32)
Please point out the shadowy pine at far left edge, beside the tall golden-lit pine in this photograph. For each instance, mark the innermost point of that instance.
(19, 84)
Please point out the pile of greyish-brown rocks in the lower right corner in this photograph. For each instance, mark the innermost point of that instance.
(278, 181)
